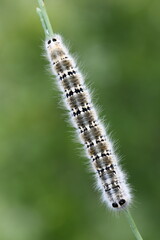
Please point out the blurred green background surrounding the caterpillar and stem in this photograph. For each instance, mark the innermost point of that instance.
(46, 191)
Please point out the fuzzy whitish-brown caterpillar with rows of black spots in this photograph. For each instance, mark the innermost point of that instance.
(111, 179)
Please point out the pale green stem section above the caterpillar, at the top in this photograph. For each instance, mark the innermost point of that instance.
(44, 19)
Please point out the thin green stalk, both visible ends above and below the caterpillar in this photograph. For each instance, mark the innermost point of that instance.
(49, 33)
